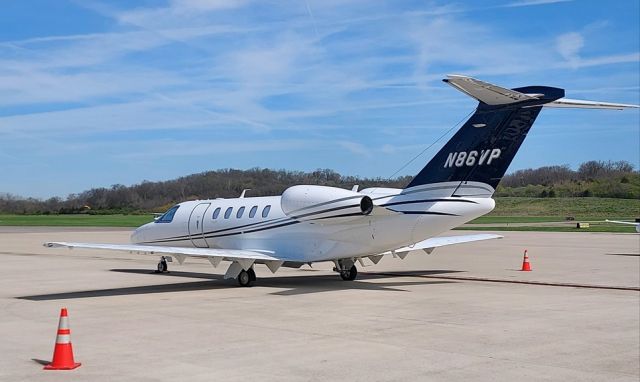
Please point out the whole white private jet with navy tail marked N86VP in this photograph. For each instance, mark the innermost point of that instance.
(309, 224)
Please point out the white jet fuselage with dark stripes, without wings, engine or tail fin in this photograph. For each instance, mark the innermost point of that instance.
(399, 218)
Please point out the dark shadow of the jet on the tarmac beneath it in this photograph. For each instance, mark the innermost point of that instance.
(293, 285)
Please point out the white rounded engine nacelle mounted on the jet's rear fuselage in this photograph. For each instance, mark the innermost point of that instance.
(328, 205)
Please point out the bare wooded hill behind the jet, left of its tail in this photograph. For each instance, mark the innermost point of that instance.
(158, 196)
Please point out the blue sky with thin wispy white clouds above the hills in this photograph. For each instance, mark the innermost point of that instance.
(96, 93)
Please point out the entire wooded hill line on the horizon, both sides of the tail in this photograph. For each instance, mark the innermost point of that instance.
(592, 179)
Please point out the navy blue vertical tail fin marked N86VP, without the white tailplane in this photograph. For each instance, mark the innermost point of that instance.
(483, 148)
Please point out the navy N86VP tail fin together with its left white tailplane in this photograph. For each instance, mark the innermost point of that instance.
(476, 158)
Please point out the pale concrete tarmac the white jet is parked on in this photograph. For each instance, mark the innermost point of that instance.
(425, 318)
